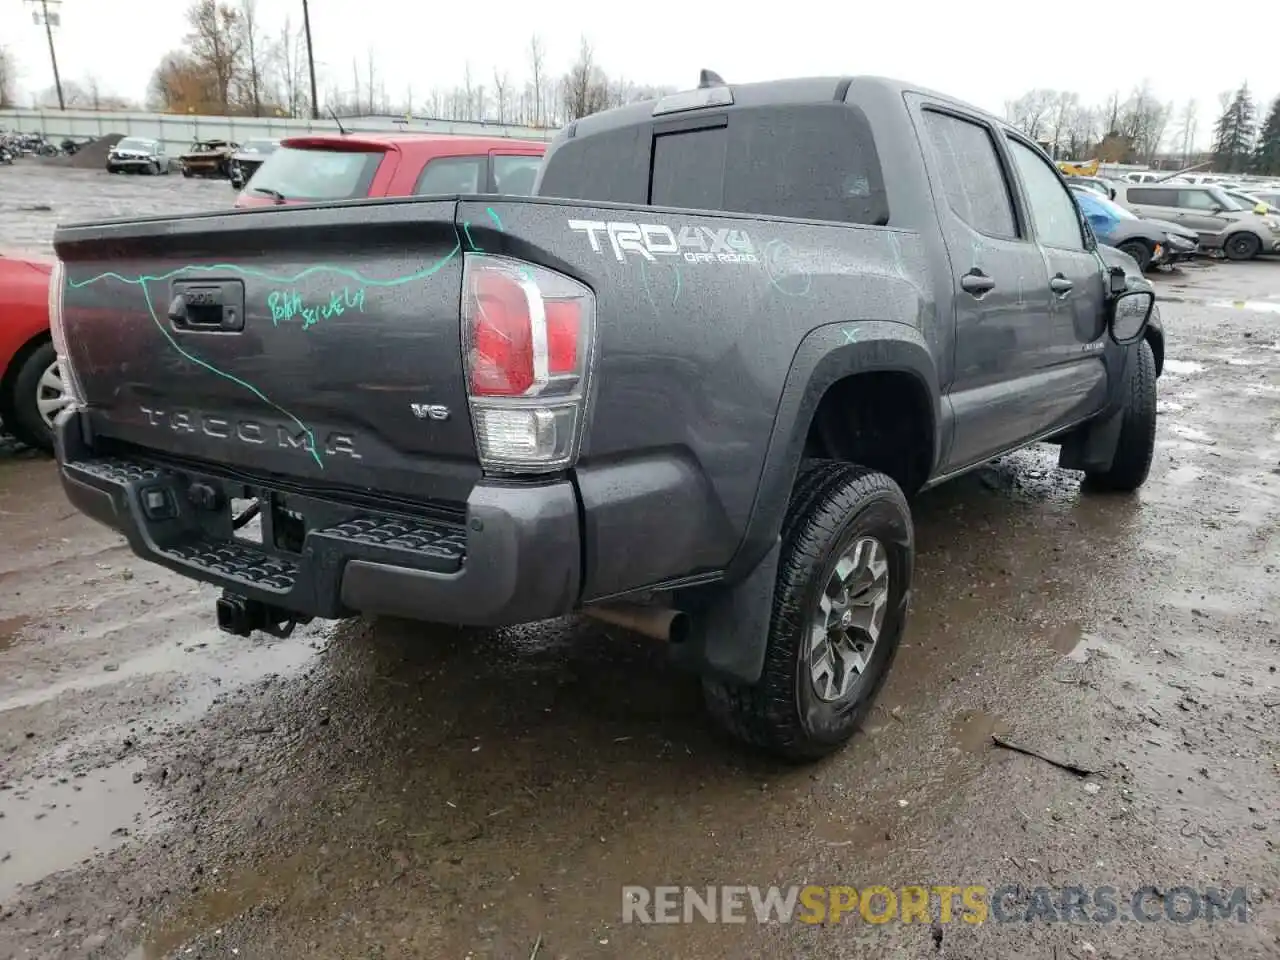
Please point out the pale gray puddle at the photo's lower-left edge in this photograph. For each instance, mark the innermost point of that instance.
(65, 824)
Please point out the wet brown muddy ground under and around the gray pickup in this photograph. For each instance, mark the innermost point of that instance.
(391, 790)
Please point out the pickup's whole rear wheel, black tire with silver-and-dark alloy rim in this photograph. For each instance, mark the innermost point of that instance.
(839, 611)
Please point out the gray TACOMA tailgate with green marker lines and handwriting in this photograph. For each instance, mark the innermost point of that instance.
(296, 342)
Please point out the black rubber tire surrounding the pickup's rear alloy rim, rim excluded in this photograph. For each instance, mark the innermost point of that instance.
(833, 506)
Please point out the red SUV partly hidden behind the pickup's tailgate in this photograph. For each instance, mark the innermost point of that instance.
(346, 167)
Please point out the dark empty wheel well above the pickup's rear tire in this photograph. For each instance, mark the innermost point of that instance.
(880, 420)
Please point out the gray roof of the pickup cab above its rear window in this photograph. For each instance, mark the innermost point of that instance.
(803, 90)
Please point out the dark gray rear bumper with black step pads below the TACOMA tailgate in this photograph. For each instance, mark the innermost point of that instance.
(511, 559)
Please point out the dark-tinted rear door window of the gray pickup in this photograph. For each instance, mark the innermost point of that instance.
(972, 175)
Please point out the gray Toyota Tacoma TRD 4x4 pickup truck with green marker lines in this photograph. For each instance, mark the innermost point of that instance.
(687, 387)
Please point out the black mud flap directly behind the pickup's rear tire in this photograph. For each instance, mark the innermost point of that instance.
(730, 628)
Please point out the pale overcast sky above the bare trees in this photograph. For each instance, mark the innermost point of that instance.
(986, 52)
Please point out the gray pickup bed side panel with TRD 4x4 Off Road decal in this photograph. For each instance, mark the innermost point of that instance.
(698, 321)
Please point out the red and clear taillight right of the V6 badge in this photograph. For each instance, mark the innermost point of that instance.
(528, 335)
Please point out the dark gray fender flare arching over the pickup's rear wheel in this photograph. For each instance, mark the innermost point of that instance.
(826, 355)
